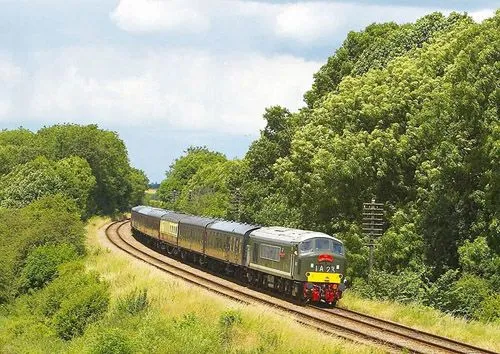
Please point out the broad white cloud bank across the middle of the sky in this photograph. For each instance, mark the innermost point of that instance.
(185, 88)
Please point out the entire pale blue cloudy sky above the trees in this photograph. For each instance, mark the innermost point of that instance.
(168, 74)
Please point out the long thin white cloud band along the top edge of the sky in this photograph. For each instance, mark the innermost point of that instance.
(303, 22)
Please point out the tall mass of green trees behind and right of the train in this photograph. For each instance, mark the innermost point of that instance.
(404, 113)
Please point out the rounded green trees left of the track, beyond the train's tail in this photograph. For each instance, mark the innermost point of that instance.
(84, 162)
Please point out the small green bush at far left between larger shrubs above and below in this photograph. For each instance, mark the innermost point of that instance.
(41, 265)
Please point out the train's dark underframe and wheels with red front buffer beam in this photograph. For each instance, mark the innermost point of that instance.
(301, 291)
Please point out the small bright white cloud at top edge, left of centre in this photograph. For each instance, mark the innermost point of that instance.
(160, 15)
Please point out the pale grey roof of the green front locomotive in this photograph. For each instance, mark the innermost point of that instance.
(287, 235)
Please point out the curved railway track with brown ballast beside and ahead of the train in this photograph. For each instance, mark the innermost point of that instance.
(347, 324)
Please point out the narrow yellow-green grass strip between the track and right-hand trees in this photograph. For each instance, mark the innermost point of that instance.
(429, 320)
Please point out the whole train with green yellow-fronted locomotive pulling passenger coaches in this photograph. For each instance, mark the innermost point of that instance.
(307, 266)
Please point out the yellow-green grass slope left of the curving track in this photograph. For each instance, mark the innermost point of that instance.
(184, 318)
